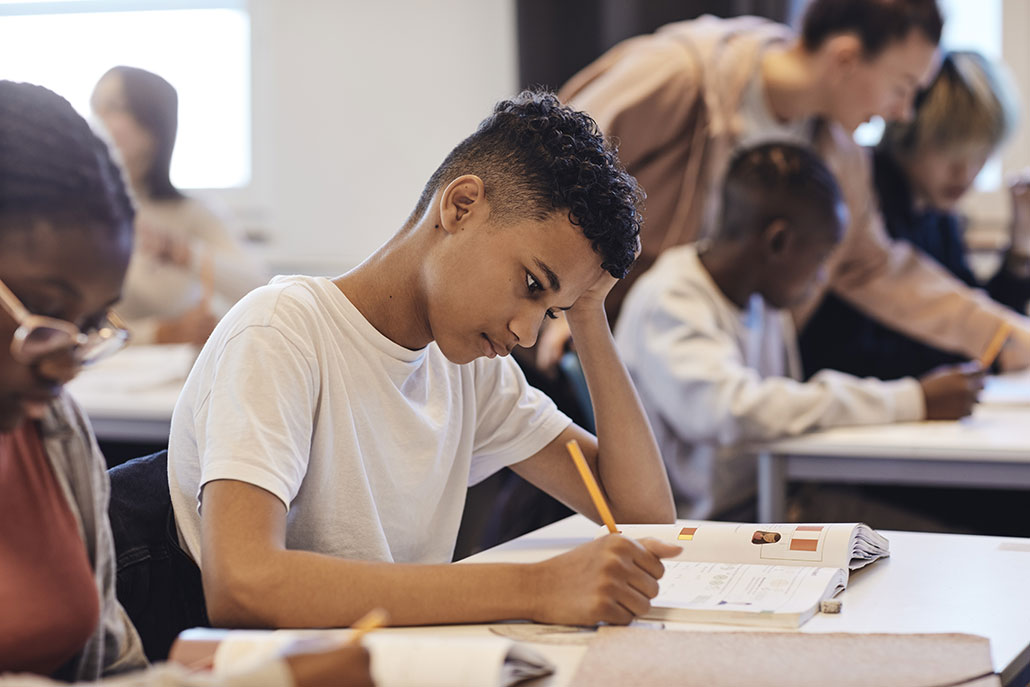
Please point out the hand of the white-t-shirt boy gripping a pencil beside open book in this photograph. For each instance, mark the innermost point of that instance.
(612, 580)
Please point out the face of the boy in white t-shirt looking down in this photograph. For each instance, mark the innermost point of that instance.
(491, 288)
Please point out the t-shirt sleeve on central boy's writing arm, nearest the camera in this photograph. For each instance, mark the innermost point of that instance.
(257, 424)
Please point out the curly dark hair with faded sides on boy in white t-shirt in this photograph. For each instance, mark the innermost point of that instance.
(537, 157)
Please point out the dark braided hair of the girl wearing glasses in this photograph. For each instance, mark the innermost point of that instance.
(54, 168)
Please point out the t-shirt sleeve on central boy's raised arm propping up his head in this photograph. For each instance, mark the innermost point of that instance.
(514, 421)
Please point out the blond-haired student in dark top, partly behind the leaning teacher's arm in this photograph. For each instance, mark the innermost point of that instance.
(922, 169)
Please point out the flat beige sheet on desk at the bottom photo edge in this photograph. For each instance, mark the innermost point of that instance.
(629, 657)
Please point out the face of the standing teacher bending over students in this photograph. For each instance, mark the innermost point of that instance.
(882, 87)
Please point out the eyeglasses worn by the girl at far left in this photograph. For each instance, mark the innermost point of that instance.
(38, 337)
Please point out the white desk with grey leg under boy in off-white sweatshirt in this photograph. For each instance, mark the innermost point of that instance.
(991, 450)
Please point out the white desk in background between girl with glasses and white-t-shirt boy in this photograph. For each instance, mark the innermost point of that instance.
(131, 396)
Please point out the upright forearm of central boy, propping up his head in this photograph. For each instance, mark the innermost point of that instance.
(630, 465)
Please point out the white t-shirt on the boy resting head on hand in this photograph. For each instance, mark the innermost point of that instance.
(370, 445)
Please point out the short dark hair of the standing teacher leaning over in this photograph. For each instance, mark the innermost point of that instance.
(877, 23)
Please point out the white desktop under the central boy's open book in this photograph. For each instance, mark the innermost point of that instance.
(932, 583)
